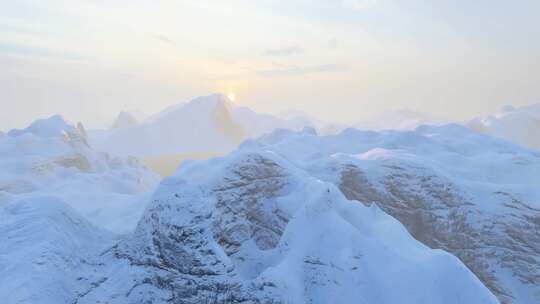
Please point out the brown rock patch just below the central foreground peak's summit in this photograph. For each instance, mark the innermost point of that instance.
(242, 216)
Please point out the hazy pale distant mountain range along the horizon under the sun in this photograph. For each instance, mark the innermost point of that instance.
(213, 125)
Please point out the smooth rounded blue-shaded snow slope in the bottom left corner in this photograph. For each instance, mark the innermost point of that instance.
(45, 248)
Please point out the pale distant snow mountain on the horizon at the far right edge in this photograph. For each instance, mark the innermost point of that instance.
(519, 125)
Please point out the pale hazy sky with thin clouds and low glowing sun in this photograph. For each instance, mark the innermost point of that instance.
(339, 60)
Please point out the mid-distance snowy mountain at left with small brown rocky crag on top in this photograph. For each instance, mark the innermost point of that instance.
(52, 158)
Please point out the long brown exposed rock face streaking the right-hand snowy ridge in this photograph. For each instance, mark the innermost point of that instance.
(441, 215)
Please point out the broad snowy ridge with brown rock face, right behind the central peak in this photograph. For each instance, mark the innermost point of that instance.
(472, 195)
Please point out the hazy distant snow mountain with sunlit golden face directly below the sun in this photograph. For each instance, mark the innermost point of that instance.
(207, 124)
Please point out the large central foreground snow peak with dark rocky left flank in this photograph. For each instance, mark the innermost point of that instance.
(254, 228)
